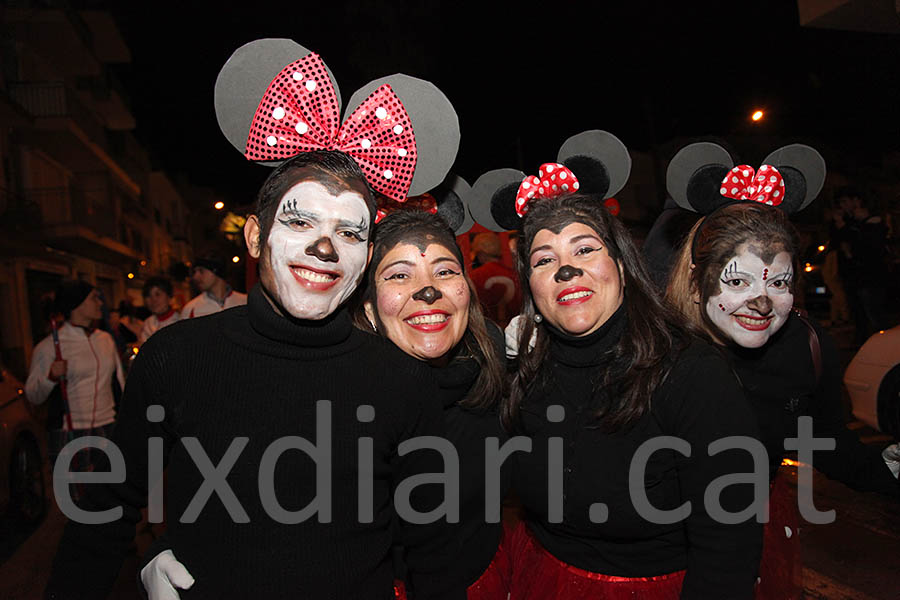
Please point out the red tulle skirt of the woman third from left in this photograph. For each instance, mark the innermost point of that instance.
(538, 575)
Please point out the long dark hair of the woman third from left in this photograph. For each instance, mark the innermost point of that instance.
(645, 348)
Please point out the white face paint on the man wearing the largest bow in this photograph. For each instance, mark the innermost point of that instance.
(317, 250)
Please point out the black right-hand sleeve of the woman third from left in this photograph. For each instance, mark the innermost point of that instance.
(723, 559)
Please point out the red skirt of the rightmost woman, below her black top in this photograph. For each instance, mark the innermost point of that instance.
(781, 570)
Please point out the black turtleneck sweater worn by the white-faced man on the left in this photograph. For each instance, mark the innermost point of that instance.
(250, 373)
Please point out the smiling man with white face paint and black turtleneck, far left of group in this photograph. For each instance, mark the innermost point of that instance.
(244, 390)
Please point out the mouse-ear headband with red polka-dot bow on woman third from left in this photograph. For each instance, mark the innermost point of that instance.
(592, 162)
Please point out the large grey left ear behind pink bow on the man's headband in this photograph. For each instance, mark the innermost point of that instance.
(243, 82)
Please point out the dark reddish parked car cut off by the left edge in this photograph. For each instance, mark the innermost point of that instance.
(23, 449)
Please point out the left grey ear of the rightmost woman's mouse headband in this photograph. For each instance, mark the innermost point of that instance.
(695, 174)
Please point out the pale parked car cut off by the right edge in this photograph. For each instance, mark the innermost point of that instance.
(873, 380)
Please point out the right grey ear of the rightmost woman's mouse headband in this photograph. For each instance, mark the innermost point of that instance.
(803, 170)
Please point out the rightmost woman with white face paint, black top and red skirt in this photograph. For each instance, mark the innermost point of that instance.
(733, 282)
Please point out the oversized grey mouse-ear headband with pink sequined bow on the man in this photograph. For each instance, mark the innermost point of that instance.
(275, 99)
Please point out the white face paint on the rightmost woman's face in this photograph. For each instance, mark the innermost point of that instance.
(754, 298)
